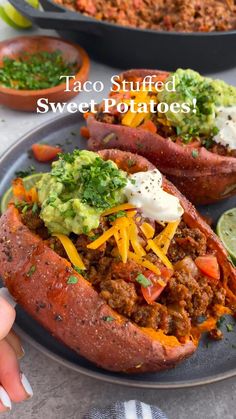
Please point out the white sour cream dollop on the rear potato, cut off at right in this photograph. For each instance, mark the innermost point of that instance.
(226, 123)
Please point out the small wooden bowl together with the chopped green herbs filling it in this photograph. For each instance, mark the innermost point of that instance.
(31, 68)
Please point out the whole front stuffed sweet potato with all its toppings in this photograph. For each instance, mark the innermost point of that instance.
(128, 280)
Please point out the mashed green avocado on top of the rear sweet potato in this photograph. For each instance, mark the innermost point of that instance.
(209, 94)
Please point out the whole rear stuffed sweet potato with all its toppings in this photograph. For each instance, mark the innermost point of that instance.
(195, 150)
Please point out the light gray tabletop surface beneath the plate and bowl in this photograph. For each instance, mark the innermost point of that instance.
(63, 394)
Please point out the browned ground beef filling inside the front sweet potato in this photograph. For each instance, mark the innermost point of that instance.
(188, 295)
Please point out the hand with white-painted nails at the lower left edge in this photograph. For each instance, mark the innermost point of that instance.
(14, 386)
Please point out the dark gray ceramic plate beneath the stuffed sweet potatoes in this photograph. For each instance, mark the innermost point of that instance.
(213, 361)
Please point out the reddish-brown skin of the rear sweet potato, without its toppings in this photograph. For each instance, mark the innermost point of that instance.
(204, 179)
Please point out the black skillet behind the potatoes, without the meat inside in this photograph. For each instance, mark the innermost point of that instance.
(125, 47)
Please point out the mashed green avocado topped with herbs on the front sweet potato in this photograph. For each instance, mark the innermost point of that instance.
(78, 189)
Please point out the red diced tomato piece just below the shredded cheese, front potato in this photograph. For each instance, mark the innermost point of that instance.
(151, 293)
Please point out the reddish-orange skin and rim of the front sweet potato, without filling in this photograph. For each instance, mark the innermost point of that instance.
(74, 313)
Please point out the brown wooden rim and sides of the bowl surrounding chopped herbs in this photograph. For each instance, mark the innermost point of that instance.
(26, 100)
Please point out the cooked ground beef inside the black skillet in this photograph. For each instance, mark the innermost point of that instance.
(166, 15)
